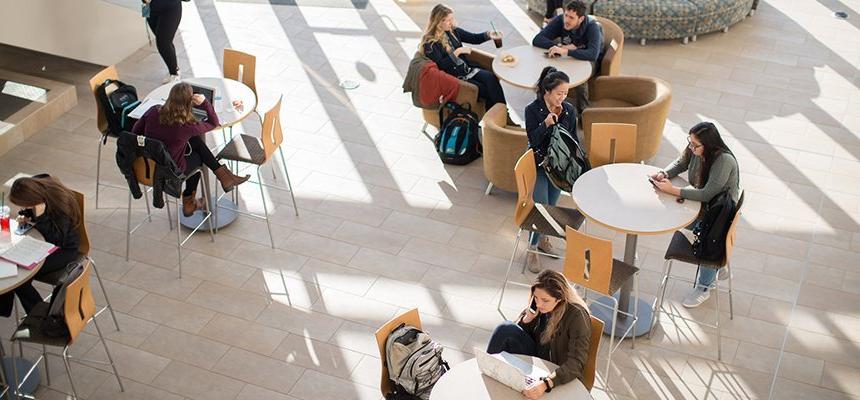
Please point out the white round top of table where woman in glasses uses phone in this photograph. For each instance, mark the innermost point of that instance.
(620, 197)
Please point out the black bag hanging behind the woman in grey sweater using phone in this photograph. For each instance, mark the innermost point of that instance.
(711, 228)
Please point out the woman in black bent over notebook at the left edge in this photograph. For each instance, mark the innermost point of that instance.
(53, 210)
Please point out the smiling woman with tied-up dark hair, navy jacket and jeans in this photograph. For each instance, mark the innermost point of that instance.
(548, 109)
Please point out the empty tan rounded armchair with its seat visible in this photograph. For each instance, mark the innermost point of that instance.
(640, 100)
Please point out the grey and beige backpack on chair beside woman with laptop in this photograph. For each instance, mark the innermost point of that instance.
(414, 362)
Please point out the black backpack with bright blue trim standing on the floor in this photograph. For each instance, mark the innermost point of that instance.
(458, 139)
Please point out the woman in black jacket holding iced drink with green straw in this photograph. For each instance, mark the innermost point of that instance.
(443, 43)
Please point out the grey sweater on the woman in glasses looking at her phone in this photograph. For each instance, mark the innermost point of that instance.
(724, 175)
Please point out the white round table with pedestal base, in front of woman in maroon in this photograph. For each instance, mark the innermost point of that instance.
(225, 92)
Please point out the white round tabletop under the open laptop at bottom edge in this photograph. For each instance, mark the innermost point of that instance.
(465, 381)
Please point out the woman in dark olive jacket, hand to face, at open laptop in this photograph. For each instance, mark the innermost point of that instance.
(555, 327)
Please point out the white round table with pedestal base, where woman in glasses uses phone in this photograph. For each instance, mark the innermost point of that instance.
(620, 197)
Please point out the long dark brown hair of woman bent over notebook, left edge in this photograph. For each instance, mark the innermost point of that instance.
(59, 200)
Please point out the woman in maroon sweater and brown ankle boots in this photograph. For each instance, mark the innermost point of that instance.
(175, 125)
